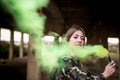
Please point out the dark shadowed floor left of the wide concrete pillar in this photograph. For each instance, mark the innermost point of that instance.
(14, 69)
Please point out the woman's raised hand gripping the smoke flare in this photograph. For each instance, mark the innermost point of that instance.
(109, 69)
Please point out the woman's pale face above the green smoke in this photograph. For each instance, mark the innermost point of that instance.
(77, 38)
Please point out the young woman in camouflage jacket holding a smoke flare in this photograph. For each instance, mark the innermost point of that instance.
(73, 68)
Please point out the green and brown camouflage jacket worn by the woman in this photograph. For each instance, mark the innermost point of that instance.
(71, 69)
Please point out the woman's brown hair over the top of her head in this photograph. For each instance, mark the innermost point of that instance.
(71, 30)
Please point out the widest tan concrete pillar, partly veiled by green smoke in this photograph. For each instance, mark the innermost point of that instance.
(32, 65)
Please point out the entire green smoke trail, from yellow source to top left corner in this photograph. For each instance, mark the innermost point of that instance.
(28, 20)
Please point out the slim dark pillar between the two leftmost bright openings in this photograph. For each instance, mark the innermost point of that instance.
(11, 45)
